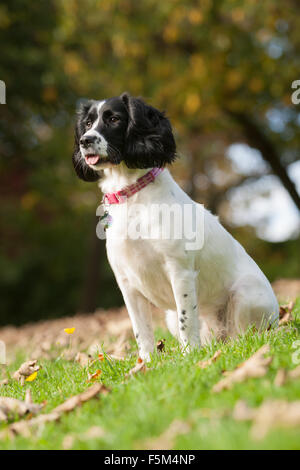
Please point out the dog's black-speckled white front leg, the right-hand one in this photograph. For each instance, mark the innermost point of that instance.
(185, 294)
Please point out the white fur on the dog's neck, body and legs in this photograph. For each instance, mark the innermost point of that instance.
(217, 289)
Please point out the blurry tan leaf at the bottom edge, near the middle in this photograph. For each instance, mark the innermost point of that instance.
(167, 439)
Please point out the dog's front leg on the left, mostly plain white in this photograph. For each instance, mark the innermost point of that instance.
(139, 310)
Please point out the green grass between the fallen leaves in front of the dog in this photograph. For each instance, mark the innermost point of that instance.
(144, 406)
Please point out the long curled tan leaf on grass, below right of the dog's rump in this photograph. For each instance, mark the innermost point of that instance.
(256, 366)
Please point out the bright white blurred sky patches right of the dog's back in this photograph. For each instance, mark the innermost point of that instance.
(272, 212)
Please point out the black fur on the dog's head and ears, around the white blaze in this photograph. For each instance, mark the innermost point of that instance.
(142, 138)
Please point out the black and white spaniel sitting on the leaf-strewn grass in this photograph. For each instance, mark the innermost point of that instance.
(215, 289)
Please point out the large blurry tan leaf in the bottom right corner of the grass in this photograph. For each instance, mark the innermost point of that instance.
(269, 415)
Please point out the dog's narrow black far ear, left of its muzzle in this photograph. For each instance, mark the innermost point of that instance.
(83, 171)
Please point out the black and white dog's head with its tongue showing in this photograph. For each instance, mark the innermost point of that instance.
(120, 129)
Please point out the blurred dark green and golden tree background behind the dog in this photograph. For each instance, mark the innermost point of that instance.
(223, 71)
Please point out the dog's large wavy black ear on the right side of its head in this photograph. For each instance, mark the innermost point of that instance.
(149, 140)
